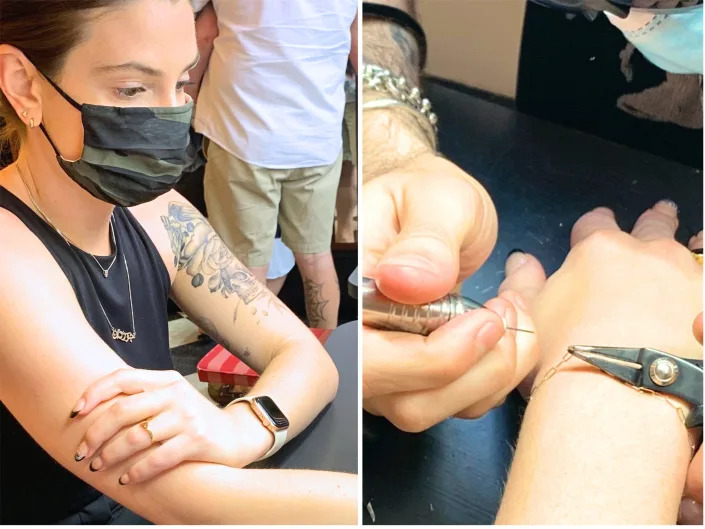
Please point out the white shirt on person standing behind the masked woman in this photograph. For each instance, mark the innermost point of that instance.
(273, 94)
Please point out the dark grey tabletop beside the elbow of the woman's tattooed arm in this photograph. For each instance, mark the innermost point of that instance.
(330, 442)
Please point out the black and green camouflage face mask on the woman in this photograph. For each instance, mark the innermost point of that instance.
(131, 155)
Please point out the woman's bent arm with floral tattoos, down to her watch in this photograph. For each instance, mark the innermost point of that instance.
(224, 299)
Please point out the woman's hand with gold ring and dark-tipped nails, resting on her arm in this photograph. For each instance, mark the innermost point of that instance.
(186, 425)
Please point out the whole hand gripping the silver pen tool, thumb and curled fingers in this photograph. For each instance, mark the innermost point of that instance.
(429, 225)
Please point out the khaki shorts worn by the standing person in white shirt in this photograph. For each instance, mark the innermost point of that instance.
(245, 201)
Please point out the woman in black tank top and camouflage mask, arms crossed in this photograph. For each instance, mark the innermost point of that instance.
(94, 241)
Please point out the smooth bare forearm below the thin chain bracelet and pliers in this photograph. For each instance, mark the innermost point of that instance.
(594, 451)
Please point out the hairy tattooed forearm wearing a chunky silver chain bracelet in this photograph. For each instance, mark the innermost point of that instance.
(392, 136)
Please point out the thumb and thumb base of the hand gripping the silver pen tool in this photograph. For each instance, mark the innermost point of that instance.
(429, 224)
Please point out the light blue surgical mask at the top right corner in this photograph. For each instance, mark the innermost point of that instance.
(673, 42)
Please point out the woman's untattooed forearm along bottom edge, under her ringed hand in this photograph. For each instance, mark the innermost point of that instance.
(216, 494)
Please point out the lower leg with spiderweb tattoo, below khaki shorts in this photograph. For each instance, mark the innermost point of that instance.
(321, 289)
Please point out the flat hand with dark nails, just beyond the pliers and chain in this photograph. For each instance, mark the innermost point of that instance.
(641, 289)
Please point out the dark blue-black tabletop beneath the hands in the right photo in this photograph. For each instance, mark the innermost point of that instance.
(542, 177)
